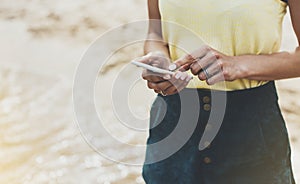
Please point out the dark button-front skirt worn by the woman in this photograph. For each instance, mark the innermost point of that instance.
(248, 143)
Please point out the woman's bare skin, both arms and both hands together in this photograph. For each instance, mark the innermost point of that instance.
(218, 66)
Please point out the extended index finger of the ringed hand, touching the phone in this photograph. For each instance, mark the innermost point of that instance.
(190, 58)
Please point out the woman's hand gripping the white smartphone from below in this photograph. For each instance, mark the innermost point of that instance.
(164, 84)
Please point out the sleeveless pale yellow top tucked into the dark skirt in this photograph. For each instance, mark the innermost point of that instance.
(233, 27)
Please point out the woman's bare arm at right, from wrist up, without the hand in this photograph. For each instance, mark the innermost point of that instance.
(279, 65)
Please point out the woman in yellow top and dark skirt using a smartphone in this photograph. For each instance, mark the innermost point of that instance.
(242, 48)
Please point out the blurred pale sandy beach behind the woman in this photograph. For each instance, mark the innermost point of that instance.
(42, 44)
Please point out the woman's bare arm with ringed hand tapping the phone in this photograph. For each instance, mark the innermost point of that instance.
(214, 66)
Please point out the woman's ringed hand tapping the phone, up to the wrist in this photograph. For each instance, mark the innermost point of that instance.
(210, 65)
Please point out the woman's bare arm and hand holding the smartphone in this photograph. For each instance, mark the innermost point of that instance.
(157, 54)
